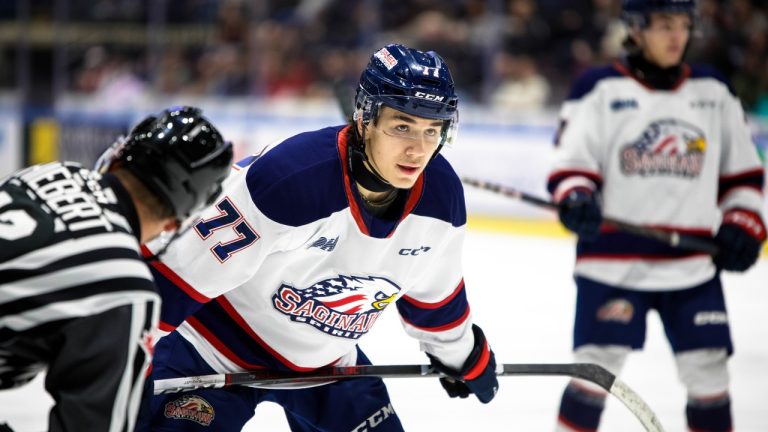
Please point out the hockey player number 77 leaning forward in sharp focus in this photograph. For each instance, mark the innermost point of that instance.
(309, 244)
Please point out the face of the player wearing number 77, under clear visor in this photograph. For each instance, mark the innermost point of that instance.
(400, 145)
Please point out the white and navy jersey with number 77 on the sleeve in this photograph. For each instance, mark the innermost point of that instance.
(288, 271)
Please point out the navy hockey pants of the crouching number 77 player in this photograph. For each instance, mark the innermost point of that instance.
(357, 405)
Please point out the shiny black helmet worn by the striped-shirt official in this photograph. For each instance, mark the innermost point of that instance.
(178, 155)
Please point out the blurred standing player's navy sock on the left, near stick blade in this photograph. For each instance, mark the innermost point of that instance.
(580, 409)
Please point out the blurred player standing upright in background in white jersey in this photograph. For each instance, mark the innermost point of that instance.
(653, 141)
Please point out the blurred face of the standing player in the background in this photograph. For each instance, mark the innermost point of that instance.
(664, 40)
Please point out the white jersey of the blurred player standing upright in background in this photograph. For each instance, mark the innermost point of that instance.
(666, 159)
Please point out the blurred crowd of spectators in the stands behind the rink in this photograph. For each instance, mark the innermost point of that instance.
(518, 55)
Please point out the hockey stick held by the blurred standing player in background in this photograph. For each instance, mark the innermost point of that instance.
(671, 238)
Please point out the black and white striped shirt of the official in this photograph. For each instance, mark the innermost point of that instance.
(76, 297)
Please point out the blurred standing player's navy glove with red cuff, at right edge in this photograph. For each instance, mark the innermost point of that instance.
(739, 239)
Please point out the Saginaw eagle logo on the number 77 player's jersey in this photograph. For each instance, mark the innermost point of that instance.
(343, 306)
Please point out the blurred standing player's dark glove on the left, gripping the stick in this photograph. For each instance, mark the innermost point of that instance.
(580, 212)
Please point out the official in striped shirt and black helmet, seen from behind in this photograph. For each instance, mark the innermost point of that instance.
(76, 297)
